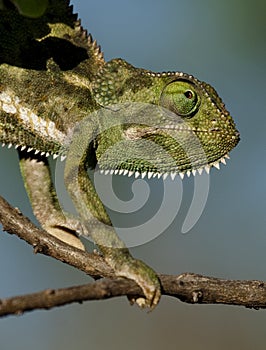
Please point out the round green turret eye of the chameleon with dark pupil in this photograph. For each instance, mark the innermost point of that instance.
(180, 98)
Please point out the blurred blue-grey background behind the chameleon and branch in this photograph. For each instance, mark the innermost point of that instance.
(222, 43)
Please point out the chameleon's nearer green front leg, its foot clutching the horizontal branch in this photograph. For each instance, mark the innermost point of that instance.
(99, 226)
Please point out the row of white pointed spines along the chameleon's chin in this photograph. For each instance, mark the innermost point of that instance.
(172, 175)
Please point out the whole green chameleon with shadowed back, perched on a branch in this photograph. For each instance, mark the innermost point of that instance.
(53, 77)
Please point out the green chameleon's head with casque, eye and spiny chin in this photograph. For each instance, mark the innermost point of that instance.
(167, 122)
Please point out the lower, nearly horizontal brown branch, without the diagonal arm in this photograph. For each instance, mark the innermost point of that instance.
(187, 287)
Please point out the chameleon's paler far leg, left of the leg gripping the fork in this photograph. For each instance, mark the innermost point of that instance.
(45, 205)
